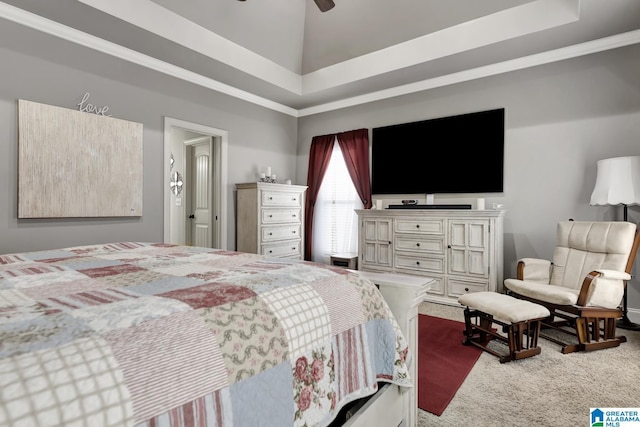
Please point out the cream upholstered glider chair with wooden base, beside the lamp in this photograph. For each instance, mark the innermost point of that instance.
(584, 285)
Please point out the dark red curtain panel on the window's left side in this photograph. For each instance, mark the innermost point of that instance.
(319, 156)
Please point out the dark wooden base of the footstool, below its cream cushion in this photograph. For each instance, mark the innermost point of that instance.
(521, 337)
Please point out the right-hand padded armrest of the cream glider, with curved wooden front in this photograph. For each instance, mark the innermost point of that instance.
(603, 288)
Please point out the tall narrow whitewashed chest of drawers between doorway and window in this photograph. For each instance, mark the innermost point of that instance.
(270, 219)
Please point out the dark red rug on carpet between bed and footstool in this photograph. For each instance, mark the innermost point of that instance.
(443, 362)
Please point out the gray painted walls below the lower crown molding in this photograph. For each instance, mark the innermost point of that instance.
(561, 118)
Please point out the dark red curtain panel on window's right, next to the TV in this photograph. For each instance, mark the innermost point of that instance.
(355, 149)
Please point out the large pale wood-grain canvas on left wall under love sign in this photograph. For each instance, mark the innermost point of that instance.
(76, 164)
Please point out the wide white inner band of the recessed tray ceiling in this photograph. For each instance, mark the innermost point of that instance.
(517, 21)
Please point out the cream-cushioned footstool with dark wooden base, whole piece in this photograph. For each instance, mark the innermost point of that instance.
(520, 320)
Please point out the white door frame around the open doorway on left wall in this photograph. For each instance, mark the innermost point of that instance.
(219, 177)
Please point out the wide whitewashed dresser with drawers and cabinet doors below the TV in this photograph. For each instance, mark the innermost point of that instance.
(461, 250)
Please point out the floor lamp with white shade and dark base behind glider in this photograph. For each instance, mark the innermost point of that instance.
(618, 183)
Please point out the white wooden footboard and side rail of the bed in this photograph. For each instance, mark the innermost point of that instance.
(392, 405)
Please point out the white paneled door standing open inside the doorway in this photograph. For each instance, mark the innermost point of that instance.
(200, 195)
